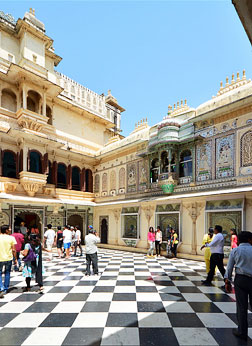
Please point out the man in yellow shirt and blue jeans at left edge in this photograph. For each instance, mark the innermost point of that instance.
(7, 252)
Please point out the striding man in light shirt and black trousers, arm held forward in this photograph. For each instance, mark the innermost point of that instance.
(217, 255)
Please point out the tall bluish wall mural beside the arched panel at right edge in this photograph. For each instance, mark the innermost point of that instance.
(225, 157)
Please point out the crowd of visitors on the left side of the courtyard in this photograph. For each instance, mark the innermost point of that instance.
(16, 243)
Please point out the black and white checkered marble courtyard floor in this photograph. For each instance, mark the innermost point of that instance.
(135, 301)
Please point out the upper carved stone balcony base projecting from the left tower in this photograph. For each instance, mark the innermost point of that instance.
(30, 120)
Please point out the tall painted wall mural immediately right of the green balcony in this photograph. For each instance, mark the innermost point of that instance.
(204, 161)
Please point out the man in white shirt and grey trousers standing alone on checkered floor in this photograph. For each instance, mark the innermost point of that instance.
(91, 251)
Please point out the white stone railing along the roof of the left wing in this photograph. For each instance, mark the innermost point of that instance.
(81, 95)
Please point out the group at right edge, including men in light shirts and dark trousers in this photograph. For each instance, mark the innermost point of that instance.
(240, 258)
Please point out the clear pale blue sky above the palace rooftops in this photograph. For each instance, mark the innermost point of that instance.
(149, 53)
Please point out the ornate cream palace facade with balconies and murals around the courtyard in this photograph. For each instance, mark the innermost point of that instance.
(63, 159)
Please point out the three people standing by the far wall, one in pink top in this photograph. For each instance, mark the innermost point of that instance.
(155, 241)
